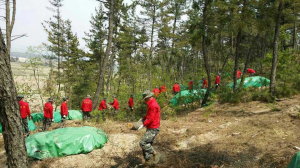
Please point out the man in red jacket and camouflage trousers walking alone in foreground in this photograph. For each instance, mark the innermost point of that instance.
(152, 122)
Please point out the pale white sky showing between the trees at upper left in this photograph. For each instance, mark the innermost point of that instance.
(32, 13)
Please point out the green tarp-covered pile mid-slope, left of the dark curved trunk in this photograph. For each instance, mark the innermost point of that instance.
(187, 96)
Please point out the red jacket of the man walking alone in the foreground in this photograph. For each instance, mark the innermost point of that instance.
(152, 118)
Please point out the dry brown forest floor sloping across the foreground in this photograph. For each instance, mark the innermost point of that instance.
(245, 135)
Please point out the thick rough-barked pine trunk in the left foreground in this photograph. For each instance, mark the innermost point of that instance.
(9, 113)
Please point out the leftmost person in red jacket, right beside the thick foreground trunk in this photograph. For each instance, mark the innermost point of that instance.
(24, 110)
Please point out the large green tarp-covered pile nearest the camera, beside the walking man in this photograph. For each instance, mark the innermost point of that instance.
(65, 141)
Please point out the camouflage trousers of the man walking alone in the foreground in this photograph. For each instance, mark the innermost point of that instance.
(147, 141)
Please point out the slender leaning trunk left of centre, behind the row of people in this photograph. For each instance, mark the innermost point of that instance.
(107, 53)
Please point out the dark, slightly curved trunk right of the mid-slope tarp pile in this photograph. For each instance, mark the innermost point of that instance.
(205, 57)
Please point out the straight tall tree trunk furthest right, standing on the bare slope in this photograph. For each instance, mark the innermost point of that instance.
(275, 50)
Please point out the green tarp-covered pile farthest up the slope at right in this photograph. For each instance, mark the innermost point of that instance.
(254, 81)
